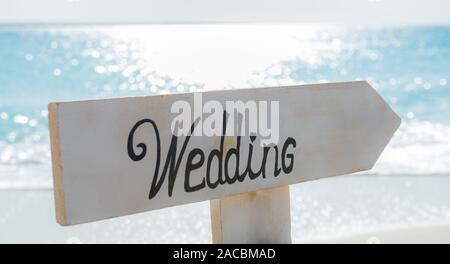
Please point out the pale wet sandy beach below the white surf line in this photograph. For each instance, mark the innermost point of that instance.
(396, 210)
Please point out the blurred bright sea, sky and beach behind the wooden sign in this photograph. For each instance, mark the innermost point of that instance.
(52, 50)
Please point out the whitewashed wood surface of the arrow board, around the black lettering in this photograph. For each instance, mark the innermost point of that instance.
(339, 128)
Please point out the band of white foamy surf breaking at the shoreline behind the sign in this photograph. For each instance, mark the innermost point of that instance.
(417, 148)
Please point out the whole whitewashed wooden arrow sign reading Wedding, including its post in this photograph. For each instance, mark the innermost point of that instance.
(115, 157)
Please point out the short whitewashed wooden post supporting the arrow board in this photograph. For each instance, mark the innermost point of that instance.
(261, 217)
